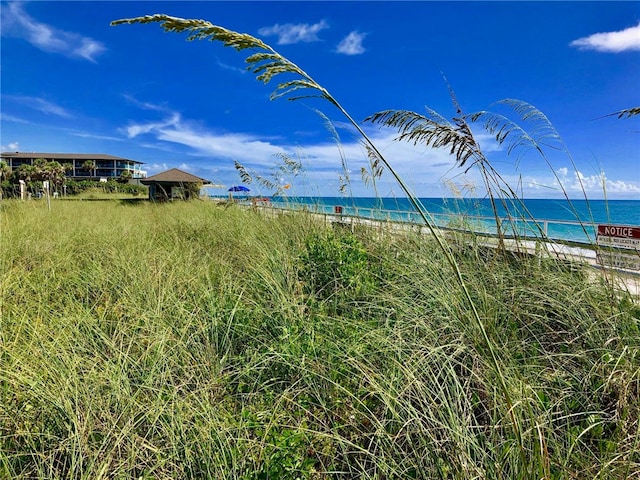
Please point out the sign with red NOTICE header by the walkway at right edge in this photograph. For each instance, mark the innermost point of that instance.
(625, 243)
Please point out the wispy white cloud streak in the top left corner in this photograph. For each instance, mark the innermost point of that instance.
(17, 23)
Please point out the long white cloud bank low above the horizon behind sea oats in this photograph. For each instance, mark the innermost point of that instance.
(428, 172)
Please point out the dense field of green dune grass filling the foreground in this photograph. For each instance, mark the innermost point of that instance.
(194, 340)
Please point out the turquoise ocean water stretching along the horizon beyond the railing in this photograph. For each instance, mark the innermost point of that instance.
(574, 220)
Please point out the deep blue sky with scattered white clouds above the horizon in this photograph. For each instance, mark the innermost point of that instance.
(72, 83)
